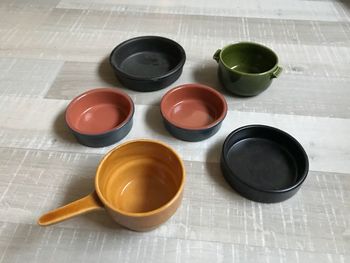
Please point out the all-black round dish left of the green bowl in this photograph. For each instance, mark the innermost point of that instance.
(148, 63)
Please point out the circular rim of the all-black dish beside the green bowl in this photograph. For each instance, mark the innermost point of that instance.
(179, 65)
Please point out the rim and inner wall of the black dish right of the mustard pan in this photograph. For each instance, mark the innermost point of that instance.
(273, 129)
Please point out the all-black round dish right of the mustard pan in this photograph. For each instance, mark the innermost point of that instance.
(263, 163)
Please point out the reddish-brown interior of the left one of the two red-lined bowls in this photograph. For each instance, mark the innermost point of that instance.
(99, 111)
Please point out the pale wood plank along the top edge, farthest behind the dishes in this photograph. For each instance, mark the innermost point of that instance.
(302, 10)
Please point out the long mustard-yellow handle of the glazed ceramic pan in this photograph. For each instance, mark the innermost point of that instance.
(86, 204)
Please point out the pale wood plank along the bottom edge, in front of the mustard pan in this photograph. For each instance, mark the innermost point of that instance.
(65, 244)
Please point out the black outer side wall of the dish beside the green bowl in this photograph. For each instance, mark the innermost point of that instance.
(147, 85)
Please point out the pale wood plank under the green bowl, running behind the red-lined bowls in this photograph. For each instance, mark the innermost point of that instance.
(322, 96)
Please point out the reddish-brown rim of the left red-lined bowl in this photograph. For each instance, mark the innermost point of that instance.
(94, 91)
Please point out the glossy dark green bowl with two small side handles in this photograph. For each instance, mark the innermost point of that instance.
(247, 69)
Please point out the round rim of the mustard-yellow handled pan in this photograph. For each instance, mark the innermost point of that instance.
(158, 210)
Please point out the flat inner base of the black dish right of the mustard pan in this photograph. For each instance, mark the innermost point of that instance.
(263, 164)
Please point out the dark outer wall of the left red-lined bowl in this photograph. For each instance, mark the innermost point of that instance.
(105, 139)
